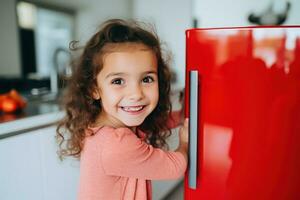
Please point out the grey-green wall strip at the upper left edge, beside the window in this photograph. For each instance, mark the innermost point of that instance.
(9, 41)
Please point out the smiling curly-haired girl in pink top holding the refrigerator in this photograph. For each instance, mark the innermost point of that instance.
(117, 110)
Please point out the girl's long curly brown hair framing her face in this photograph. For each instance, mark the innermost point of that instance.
(80, 106)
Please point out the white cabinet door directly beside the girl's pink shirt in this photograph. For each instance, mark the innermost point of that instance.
(60, 178)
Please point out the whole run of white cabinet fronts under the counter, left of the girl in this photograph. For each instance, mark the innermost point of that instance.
(30, 168)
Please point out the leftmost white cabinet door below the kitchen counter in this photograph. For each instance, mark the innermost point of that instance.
(20, 167)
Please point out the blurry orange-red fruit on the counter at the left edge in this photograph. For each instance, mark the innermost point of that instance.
(12, 102)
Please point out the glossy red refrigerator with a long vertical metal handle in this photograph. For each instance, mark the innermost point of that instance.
(243, 101)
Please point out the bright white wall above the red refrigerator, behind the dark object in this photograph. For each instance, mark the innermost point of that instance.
(223, 13)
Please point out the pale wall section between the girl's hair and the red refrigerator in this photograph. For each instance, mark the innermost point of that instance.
(171, 18)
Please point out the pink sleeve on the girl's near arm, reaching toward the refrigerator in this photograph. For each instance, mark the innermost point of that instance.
(124, 154)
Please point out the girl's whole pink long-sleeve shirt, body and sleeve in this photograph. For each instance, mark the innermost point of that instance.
(116, 164)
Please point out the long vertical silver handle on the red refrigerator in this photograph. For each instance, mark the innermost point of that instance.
(193, 130)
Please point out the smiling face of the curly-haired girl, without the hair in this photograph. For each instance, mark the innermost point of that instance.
(127, 86)
